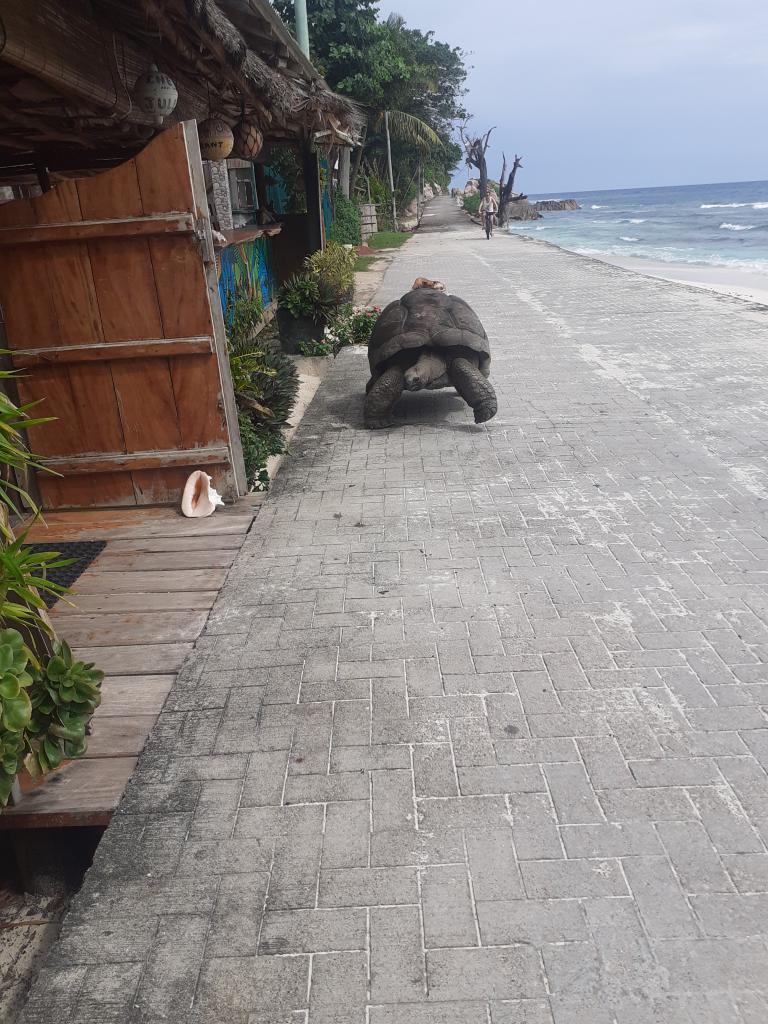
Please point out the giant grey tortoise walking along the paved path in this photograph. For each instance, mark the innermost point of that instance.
(429, 340)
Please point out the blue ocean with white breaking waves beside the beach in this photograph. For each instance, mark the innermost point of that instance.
(723, 225)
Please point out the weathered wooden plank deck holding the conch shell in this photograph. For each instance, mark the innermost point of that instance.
(137, 613)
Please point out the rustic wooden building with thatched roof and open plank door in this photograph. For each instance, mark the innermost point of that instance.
(112, 261)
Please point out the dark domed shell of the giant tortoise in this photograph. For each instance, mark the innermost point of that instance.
(426, 318)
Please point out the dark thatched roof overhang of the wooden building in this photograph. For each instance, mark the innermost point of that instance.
(67, 73)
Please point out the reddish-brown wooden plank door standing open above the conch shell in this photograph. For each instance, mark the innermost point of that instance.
(111, 311)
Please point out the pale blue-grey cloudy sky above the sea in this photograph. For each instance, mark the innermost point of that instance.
(610, 94)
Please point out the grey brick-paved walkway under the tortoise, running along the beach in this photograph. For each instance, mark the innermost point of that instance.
(477, 733)
